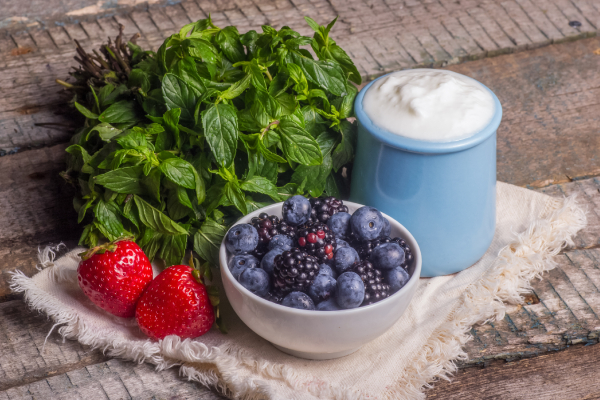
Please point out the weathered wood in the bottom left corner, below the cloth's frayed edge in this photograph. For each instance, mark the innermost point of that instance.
(32, 366)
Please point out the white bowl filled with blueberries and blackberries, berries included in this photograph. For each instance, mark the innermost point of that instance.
(319, 278)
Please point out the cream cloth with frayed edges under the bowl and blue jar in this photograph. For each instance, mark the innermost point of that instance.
(420, 348)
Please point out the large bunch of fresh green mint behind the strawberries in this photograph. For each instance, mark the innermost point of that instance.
(178, 144)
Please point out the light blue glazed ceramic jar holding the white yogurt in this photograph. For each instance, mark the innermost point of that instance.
(444, 193)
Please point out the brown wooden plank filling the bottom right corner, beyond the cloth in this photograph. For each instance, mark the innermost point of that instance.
(570, 374)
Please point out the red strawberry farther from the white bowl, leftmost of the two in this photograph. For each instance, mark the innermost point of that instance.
(115, 279)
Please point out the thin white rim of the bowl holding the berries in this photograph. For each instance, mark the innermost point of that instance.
(413, 280)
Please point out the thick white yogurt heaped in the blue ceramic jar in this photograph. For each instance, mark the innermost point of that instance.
(430, 105)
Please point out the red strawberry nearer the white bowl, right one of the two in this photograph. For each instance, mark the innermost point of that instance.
(175, 304)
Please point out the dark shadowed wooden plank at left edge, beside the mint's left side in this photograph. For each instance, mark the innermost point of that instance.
(36, 206)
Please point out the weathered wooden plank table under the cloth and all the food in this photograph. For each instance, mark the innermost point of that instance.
(548, 140)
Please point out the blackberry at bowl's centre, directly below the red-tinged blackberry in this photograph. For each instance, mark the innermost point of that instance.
(294, 271)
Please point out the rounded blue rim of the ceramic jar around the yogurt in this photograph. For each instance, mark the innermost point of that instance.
(422, 146)
